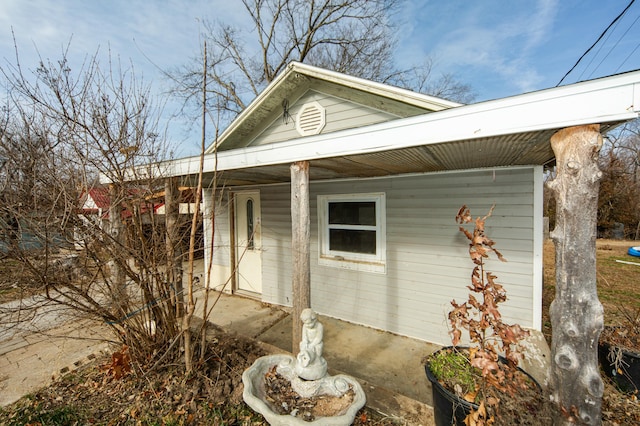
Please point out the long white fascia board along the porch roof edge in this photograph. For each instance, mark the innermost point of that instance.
(609, 99)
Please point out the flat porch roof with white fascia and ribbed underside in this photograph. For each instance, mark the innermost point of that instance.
(504, 132)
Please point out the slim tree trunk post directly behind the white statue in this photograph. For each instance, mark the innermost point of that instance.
(300, 241)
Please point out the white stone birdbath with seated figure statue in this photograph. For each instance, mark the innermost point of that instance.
(342, 395)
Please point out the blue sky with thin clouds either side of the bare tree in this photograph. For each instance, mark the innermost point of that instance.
(500, 48)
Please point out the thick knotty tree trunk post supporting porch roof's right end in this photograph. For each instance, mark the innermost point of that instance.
(576, 313)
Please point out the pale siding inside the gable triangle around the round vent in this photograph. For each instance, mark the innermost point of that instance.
(340, 114)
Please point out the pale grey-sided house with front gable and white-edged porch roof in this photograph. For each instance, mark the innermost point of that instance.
(389, 170)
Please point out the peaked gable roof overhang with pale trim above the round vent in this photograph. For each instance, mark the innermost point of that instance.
(298, 78)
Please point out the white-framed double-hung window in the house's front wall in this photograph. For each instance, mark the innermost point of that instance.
(351, 231)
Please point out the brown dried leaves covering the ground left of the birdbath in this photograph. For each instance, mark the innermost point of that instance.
(212, 395)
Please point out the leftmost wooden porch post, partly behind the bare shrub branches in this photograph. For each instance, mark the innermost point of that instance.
(173, 242)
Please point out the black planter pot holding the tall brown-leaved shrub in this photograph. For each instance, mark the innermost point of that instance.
(448, 408)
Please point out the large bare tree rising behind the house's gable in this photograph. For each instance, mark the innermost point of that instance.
(350, 36)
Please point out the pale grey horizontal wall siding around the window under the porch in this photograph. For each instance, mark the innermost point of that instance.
(427, 258)
